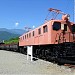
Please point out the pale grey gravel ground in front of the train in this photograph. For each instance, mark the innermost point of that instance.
(17, 64)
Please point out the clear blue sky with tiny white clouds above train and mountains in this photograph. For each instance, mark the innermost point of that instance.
(18, 14)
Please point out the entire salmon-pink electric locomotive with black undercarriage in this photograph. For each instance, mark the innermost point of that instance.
(54, 40)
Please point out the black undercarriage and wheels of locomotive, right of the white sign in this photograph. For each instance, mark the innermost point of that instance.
(63, 53)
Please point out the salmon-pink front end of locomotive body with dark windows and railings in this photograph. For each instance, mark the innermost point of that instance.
(62, 31)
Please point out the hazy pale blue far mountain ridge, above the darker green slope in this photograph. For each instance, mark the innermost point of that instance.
(14, 31)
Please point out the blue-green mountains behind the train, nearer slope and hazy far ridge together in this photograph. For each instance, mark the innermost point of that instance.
(6, 34)
